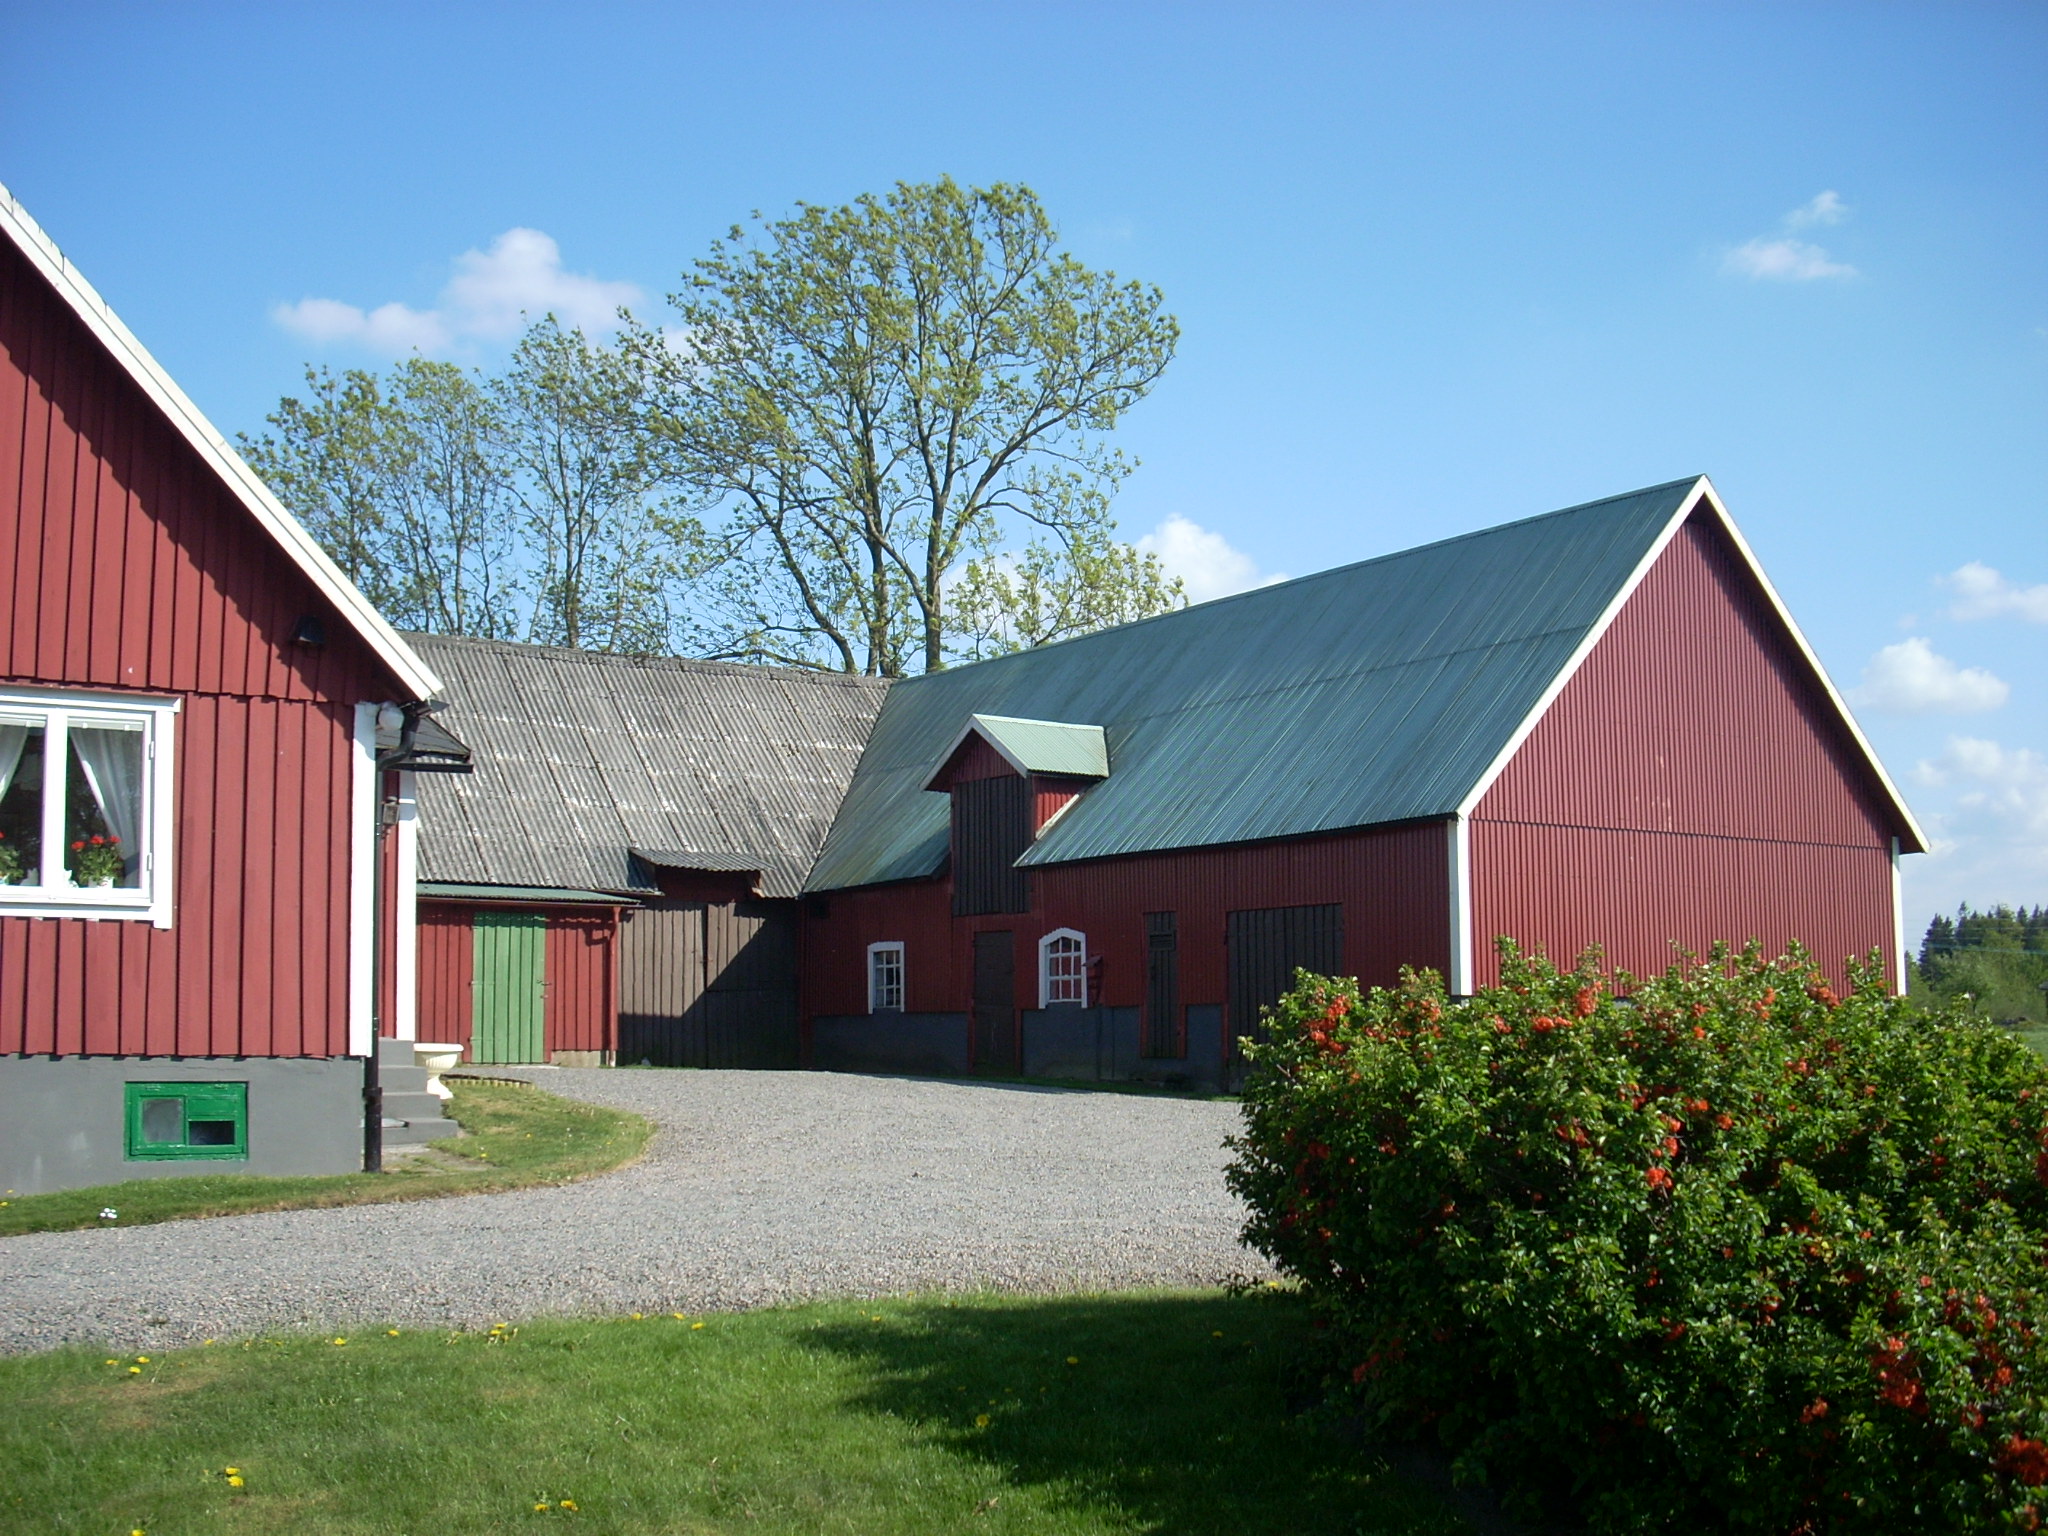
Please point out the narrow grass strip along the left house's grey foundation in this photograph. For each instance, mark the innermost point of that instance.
(517, 1138)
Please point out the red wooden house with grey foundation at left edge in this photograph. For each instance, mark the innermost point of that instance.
(189, 732)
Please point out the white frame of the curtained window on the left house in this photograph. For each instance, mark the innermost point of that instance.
(54, 712)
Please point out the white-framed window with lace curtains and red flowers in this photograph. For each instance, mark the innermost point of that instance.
(85, 806)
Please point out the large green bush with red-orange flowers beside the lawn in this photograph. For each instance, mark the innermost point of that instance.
(1732, 1250)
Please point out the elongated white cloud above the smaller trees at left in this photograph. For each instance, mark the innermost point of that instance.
(488, 298)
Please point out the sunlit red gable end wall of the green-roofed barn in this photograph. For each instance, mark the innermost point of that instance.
(1691, 783)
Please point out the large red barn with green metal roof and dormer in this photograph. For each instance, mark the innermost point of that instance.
(1101, 859)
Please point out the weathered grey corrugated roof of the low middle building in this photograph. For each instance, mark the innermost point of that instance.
(585, 757)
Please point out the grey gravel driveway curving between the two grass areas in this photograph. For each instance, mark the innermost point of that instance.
(759, 1189)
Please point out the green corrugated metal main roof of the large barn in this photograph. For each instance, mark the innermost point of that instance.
(1365, 695)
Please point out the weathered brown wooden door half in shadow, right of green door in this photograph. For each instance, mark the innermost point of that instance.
(710, 984)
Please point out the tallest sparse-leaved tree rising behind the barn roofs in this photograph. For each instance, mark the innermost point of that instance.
(876, 394)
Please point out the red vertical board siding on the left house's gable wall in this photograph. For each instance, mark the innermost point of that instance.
(126, 564)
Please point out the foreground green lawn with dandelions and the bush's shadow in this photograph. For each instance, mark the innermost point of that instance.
(1160, 1412)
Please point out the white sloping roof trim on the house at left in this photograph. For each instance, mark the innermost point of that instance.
(212, 447)
